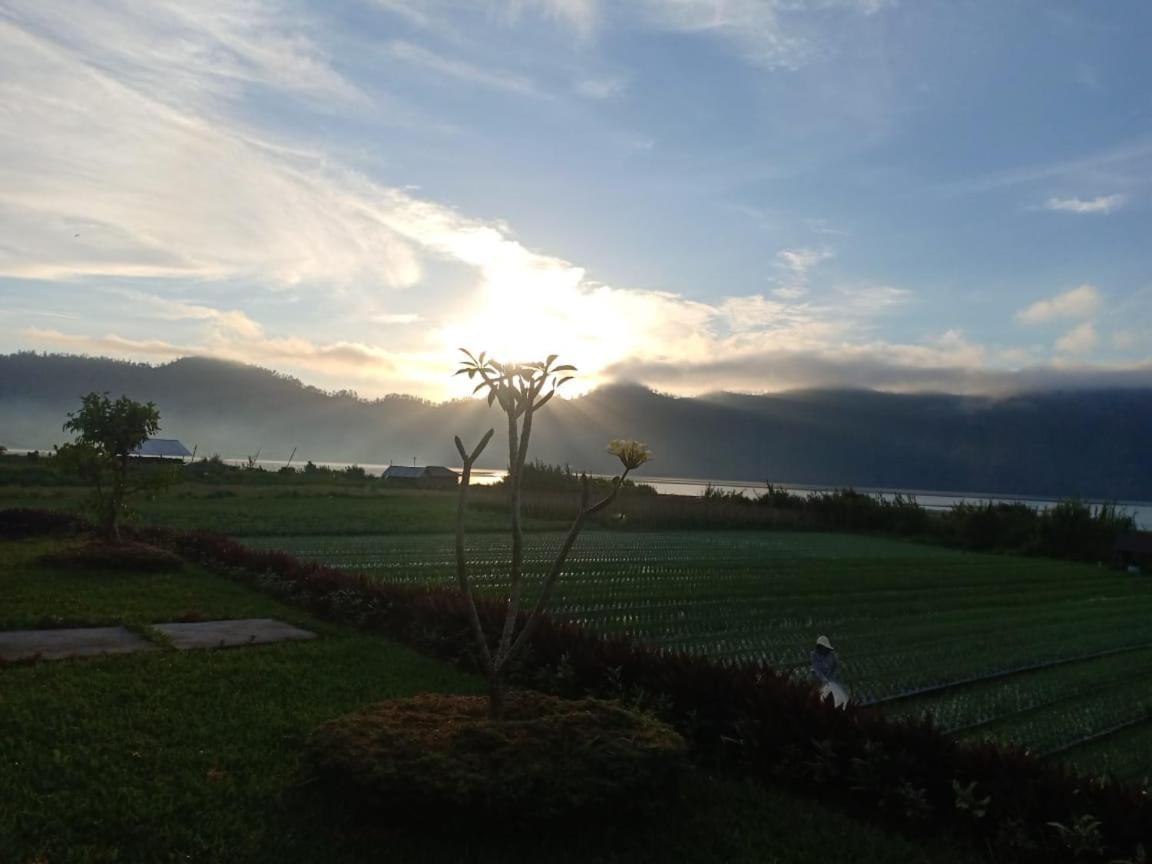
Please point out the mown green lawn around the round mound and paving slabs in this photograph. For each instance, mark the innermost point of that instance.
(193, 757)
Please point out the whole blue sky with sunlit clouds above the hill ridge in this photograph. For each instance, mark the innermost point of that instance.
(693, 195)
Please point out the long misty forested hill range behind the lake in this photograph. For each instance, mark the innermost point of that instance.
(1095, 444)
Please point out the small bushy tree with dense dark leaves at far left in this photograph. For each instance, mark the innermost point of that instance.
(108, 434)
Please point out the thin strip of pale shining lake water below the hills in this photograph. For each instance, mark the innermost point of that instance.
(929, 499)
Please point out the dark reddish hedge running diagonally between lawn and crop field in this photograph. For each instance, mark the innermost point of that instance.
(741, 717)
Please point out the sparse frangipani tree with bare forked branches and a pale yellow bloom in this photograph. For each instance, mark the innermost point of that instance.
(521, 391)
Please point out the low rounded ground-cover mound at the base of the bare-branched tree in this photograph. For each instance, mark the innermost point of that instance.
(441, 757)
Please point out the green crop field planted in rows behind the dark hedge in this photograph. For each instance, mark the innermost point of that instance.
(1052, 656)
